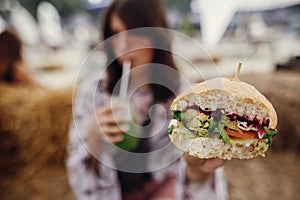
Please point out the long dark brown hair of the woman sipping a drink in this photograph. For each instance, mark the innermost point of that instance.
(136, 14)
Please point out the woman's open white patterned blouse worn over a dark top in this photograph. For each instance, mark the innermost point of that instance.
(162, 160)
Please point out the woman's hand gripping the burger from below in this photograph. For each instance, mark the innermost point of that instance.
(198, 170)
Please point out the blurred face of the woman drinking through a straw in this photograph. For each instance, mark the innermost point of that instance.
(128, 46)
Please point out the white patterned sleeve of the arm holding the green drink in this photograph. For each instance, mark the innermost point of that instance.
(82, 178)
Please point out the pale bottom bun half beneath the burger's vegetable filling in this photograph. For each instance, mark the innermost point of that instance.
(215, 148)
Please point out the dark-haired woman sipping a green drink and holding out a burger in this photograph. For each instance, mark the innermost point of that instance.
(102, 171)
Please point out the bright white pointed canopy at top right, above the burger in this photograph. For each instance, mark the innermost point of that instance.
(215, 15)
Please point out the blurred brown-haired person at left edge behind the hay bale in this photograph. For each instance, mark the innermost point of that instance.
(12, 66)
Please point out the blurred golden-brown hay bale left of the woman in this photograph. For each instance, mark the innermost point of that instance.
(33, 132)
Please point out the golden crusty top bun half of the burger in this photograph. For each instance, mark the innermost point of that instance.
(234, 96)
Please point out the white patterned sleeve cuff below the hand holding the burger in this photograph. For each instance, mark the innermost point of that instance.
(214, 188)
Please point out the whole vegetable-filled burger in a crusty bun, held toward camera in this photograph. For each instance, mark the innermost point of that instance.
(222, 118)
